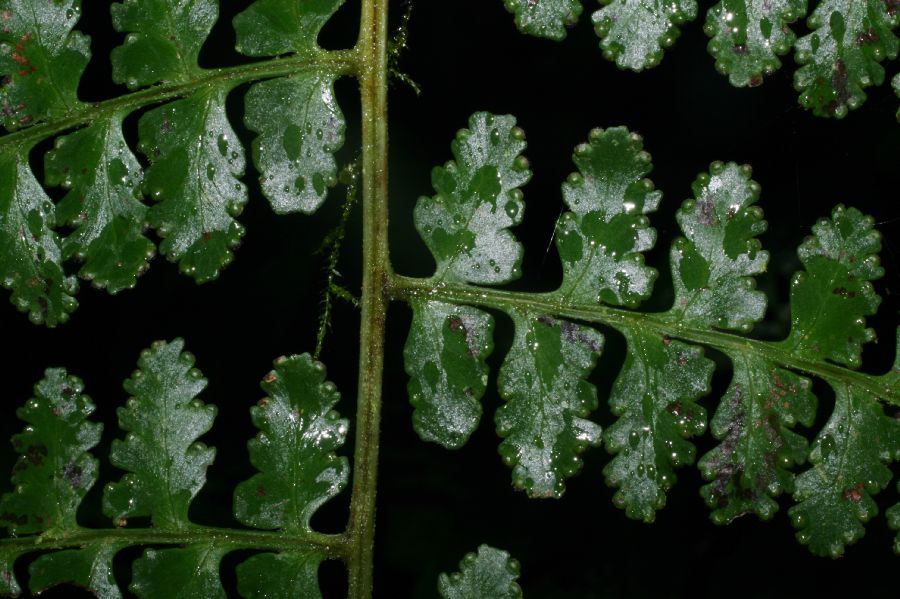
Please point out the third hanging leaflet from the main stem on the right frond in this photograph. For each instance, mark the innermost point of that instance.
(654, 398)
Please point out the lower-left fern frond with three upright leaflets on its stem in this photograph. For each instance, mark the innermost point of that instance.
(299, 471)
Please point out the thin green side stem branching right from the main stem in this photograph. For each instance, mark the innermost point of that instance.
(405, 288)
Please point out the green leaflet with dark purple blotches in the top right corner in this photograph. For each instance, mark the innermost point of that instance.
(841, 56)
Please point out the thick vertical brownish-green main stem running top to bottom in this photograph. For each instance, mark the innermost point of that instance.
(373, 78)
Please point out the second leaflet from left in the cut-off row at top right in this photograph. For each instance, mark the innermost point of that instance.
(635, 33)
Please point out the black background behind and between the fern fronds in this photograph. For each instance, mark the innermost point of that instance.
(435, 505)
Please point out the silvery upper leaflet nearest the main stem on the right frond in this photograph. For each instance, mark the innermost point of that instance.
(478, 197)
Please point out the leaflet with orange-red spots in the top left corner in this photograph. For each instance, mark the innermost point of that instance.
(41, 60)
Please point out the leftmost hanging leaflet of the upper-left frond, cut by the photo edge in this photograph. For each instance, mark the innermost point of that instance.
(30, 253)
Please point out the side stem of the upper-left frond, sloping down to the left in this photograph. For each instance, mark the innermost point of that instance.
(342, 62)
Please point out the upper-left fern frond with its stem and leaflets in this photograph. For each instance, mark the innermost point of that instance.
(196, 160)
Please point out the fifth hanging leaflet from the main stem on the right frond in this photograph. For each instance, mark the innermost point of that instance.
(834, 497)
